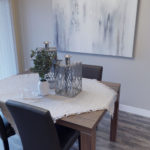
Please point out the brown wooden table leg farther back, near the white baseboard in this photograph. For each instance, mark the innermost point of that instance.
(114, 122)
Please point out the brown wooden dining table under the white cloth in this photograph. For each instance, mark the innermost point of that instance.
(86, 122)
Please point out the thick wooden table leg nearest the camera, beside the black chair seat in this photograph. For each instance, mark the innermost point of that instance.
(88, 140)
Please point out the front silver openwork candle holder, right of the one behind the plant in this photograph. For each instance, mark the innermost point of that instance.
(68, 78)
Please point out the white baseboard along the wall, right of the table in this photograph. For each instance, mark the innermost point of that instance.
(135, 110)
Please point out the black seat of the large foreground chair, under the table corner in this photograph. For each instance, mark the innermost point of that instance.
(66, 136)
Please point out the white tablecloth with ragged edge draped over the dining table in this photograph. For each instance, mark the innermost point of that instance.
(23, 88)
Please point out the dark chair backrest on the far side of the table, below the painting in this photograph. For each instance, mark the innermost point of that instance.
(92, 72)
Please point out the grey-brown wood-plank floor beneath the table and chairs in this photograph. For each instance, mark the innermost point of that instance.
(133, 134)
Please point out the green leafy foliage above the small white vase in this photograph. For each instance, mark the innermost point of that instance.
(42, 62)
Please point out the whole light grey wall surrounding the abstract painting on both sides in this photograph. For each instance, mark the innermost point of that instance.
(133, 74)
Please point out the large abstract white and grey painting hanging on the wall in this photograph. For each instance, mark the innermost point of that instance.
(105, 27)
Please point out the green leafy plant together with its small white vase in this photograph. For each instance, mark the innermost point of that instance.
(42, 64)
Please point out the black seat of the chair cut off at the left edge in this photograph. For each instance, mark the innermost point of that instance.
(9, 130)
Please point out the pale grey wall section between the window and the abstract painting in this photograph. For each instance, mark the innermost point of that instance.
(35, 25)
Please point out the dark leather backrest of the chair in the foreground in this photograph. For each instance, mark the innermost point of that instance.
(35, 126)
